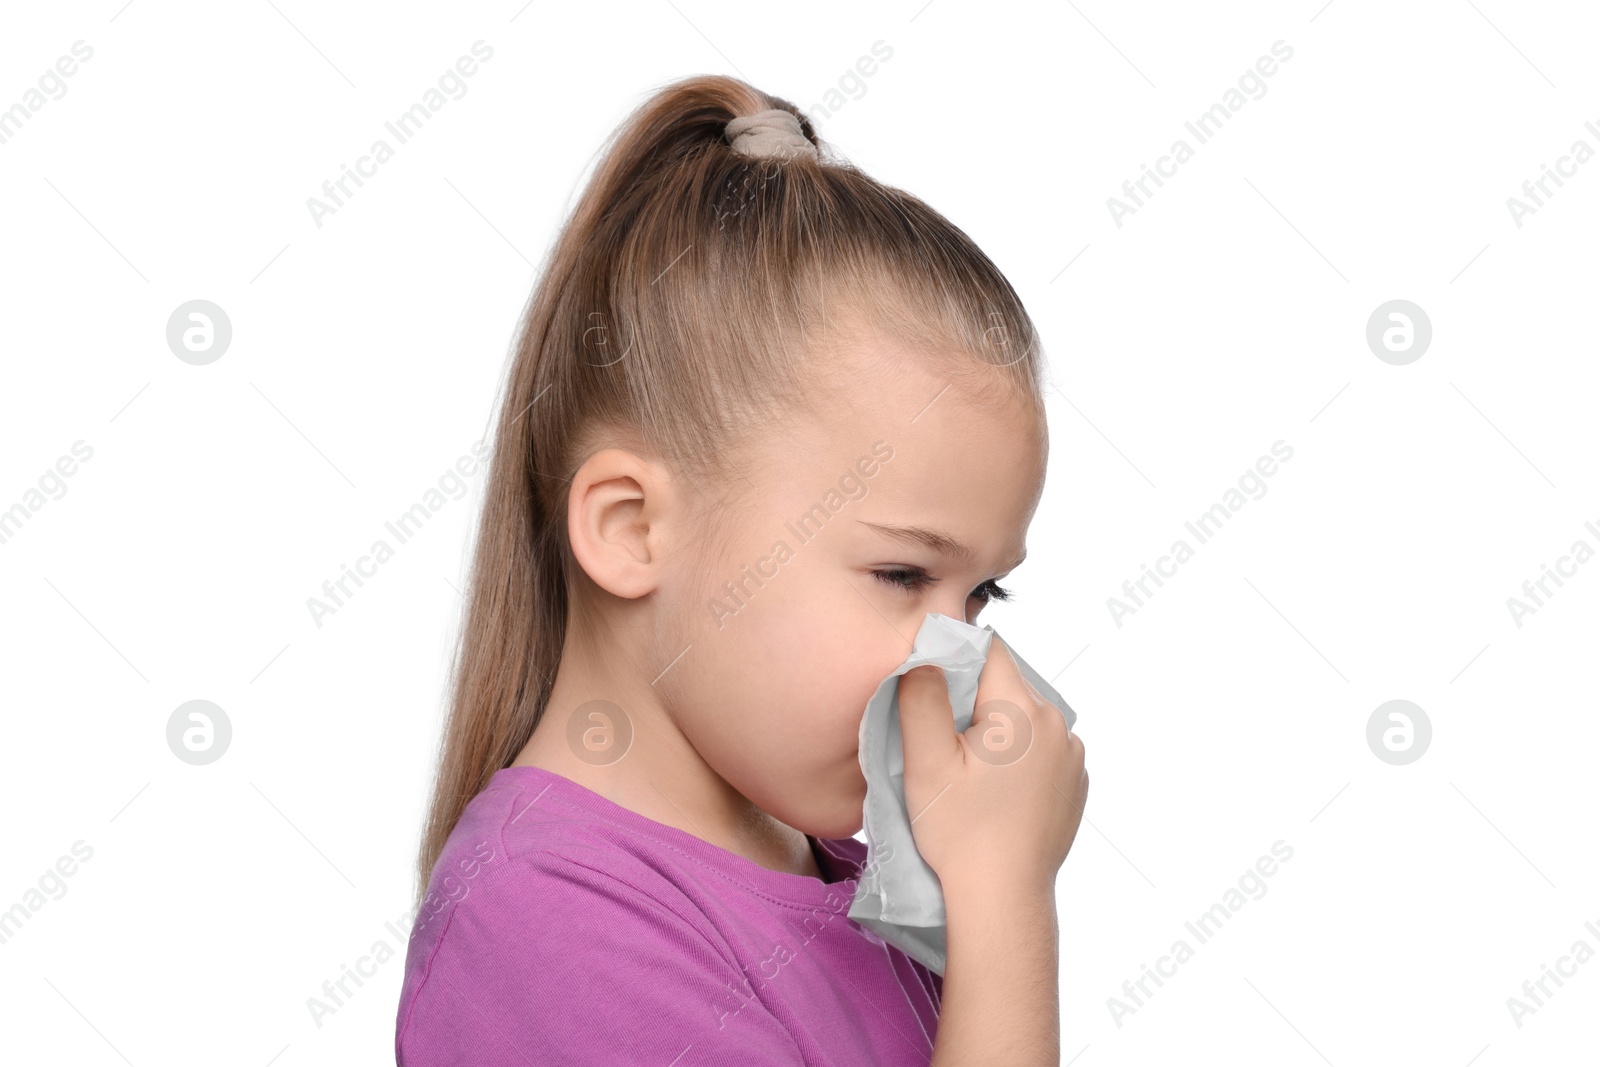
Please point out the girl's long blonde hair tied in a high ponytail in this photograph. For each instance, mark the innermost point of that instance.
(682, 308)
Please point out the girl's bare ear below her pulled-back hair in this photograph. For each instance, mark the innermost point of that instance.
(620, 521)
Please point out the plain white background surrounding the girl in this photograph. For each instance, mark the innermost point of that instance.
(1228, 314)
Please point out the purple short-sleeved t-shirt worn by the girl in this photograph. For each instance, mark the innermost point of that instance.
(561, 929)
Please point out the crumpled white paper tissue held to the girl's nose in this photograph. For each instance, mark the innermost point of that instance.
(898, 897)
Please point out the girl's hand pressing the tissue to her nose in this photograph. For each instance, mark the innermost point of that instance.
(1006, 799)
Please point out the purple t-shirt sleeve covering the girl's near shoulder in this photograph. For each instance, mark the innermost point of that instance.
(553, 962)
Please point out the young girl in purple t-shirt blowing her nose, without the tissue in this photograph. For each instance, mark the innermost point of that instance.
(766, 415)
